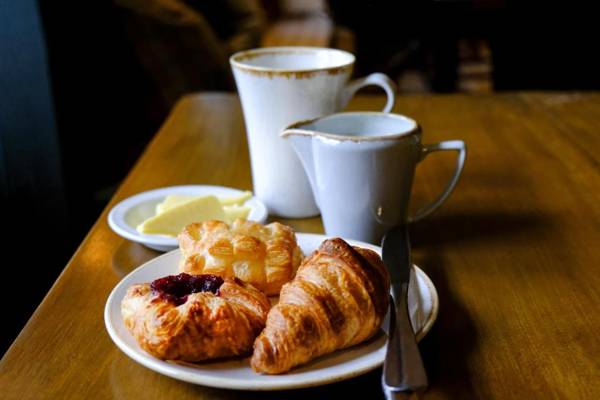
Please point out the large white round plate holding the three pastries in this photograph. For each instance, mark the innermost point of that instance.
(237, 374)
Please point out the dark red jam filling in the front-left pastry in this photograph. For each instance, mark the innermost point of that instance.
(176, 288)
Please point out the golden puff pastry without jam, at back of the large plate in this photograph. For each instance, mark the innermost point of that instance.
(265, 256)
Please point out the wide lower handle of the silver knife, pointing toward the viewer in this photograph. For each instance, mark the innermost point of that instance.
(403, 369)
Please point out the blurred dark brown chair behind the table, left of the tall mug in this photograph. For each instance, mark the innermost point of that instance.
(184, 46)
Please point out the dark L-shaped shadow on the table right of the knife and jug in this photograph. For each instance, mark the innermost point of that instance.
(448, 348)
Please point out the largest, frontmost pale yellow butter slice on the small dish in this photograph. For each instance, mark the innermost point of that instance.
(171, 221)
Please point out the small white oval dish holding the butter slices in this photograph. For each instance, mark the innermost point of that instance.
(128, 214)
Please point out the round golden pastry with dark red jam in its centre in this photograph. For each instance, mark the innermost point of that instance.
(194, 318)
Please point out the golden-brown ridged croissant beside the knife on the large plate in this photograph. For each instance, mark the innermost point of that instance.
(338, 298)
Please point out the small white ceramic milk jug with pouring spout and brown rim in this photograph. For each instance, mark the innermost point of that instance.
(361, 167)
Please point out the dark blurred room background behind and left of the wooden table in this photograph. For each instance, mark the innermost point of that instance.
(85, 85)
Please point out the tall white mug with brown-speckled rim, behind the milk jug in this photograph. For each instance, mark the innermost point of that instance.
(281, 85)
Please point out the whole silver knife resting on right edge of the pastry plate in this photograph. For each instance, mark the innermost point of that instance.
(403, 370)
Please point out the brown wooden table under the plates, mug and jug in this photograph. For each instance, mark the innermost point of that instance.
(514, 256)
